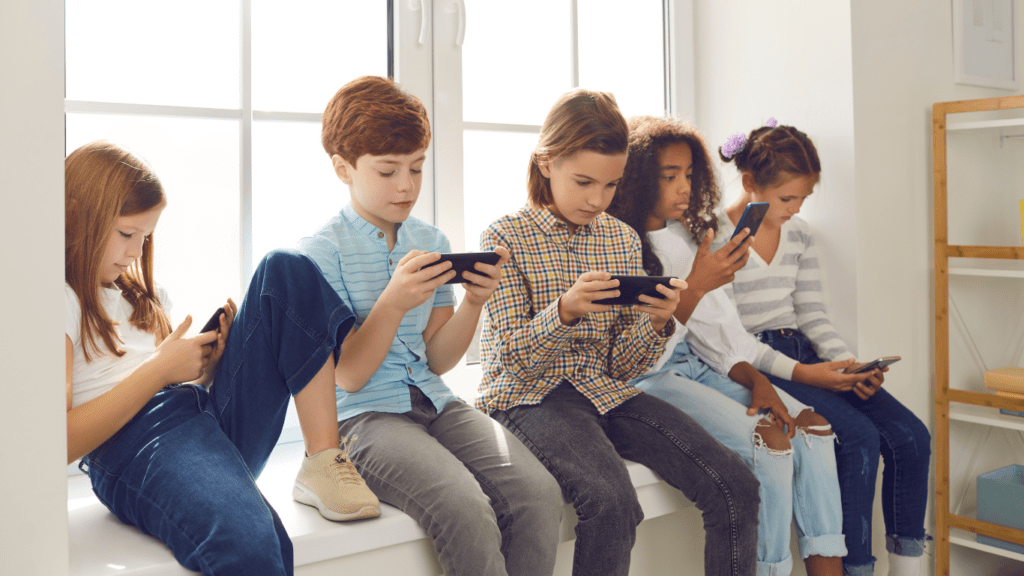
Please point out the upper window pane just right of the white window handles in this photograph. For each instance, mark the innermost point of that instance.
(516, 60)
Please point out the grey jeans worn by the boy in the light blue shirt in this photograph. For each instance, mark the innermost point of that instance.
(490, 506)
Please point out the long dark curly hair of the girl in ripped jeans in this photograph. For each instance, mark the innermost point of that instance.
(639, 190)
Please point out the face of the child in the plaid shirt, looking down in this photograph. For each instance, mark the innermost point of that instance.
(583, 185)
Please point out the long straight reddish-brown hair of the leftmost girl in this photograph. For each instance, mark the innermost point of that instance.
(104, 182)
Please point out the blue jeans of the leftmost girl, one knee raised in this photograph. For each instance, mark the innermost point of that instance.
(183, 469)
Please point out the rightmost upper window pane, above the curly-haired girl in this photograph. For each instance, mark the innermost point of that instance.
(622, 51)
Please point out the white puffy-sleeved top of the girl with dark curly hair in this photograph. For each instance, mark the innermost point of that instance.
(714, 332)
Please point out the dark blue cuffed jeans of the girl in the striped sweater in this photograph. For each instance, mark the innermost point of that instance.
(867, 429)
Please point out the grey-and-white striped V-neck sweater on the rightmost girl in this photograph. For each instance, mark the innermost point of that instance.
(786, 293)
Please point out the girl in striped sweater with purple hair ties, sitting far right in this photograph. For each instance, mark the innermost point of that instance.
(779, 297)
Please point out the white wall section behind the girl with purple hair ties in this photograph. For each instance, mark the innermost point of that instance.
(789, 61)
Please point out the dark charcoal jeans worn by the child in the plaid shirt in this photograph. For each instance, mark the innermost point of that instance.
(584, 450)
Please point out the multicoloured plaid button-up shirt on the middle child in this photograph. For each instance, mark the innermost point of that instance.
(527, 351)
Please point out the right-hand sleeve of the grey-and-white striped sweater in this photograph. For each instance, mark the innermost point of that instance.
(808, 303)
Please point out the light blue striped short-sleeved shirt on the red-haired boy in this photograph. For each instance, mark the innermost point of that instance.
(353, 255)
